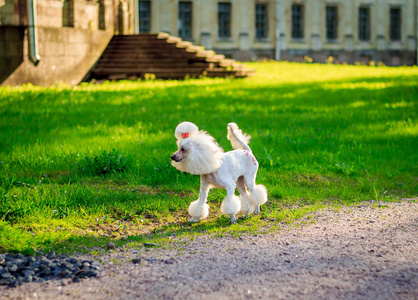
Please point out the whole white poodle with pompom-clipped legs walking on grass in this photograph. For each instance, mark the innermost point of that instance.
(198, 153)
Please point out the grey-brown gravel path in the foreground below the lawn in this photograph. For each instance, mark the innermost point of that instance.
(357, 253)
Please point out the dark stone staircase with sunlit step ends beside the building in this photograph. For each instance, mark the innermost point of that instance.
(164, 56)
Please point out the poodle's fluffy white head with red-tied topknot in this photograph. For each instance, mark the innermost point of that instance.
(198, 153)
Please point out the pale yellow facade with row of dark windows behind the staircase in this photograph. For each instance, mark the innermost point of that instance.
(348, 30)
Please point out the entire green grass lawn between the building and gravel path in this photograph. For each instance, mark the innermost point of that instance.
(83, 165)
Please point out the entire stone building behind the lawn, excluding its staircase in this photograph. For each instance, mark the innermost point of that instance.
(45, 41)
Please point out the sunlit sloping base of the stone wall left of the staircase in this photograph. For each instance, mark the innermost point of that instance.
(67, 54)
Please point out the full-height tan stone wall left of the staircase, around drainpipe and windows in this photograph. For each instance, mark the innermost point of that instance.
(67, 53)
